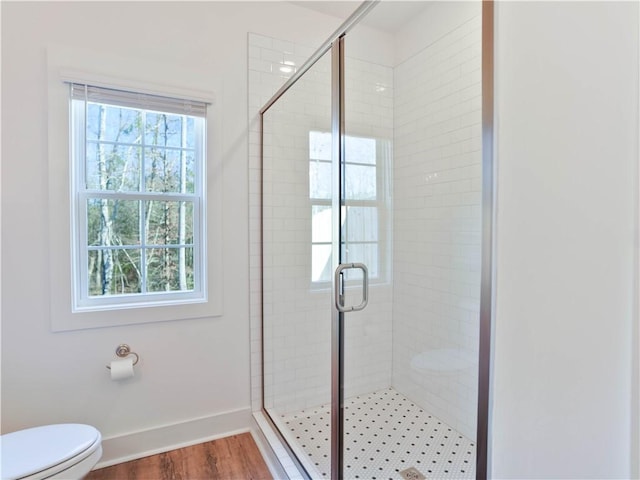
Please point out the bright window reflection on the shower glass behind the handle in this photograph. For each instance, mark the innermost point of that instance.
(364, 227)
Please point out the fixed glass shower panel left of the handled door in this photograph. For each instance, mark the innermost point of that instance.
(297, 254)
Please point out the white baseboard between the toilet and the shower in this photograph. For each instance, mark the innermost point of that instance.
(131, 446)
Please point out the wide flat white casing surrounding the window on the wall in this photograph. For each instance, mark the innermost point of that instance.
(79, 65)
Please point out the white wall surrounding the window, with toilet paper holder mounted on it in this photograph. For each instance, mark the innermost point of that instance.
(189, 369)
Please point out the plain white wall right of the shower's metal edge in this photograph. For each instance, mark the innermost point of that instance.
(567, 160)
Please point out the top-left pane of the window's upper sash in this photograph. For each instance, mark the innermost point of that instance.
(109, 123)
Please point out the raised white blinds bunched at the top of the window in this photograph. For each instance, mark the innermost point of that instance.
(138, 100)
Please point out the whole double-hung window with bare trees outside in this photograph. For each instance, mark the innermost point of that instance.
(137, 199)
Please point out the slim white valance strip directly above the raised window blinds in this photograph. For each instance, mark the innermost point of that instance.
(77, 76)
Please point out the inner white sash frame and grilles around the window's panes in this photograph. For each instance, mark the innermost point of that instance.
(82, 301)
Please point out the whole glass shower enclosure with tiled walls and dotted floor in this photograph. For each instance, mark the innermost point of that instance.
(375, 254)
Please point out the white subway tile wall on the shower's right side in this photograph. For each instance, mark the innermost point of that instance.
(437, 221)
